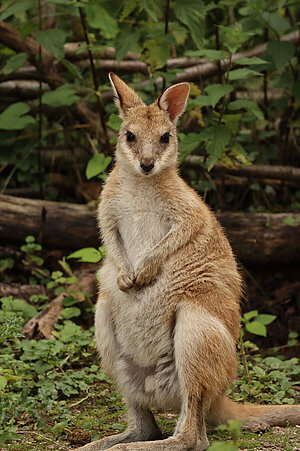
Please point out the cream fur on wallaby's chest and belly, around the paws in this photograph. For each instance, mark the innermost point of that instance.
(138, 316)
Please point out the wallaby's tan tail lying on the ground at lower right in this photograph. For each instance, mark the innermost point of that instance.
(253, 417)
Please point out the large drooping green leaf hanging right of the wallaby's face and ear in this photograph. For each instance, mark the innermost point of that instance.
(216, 145)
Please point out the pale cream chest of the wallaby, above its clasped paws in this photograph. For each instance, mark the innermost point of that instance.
(142, 219)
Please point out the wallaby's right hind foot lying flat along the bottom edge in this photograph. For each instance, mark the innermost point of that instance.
(169, 444)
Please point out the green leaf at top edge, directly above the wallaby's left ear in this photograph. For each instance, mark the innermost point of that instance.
(99, 18)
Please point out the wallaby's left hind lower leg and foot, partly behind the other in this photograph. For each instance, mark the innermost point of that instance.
(141, 426)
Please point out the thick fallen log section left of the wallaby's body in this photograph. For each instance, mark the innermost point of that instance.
(56, 224)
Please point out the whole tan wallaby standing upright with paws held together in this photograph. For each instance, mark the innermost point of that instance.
(167, 318)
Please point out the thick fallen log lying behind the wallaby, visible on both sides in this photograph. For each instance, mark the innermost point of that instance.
(255, 237)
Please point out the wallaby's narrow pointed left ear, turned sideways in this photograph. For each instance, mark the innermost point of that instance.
(125, 97)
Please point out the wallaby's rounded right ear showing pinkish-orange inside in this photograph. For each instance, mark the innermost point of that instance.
(174, 99)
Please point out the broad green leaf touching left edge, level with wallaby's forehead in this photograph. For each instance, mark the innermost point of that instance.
(15, 118)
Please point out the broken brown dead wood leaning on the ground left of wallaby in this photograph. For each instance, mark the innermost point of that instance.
(41, 325)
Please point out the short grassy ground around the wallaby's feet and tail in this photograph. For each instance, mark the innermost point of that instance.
(102, 413)
